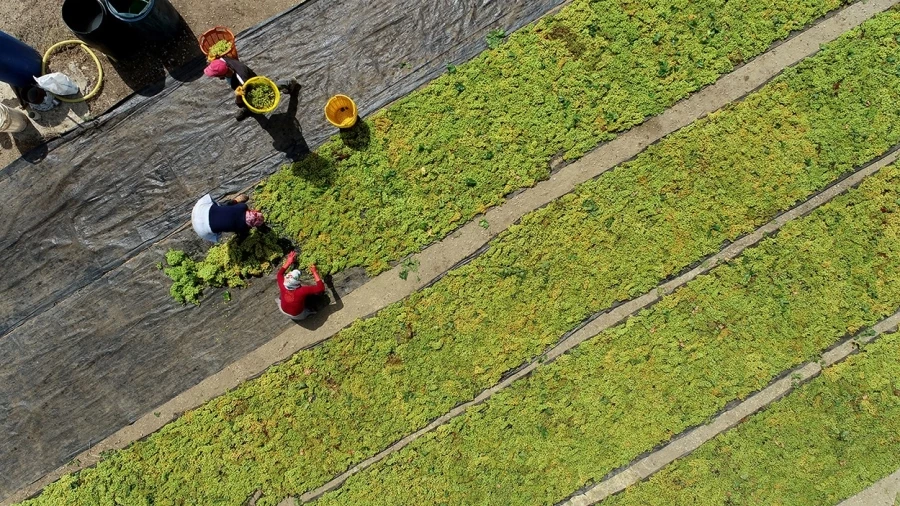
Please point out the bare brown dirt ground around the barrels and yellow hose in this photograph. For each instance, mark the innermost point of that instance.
(39, 24)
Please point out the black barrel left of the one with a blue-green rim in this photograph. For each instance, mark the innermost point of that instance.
(90, 21)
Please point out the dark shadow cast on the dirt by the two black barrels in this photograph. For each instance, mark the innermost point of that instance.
(144, 71)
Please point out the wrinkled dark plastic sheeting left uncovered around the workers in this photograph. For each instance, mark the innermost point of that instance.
(90, 338)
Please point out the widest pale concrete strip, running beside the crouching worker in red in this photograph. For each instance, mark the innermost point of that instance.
(434, 261)
